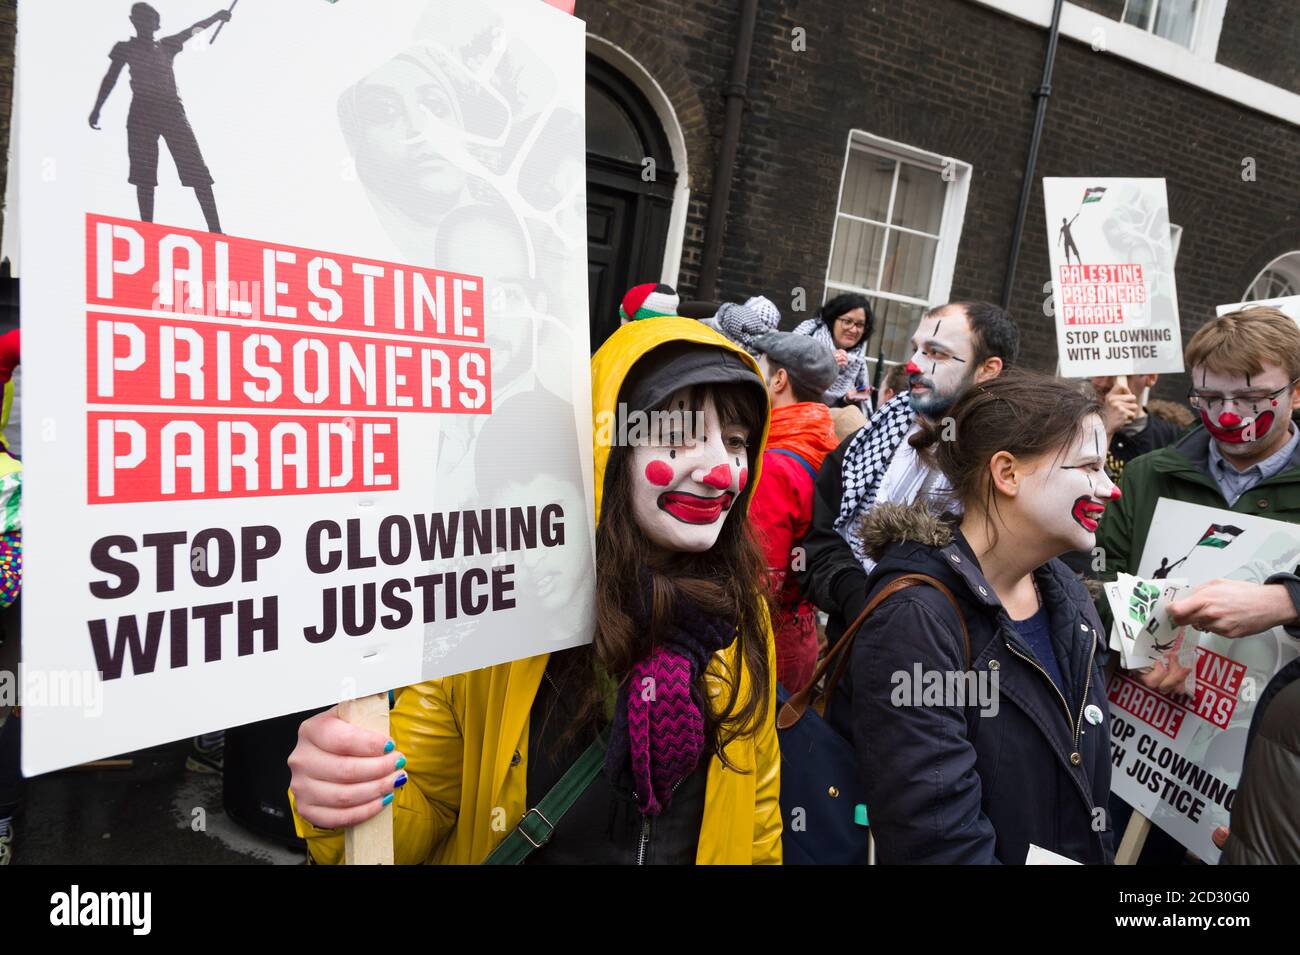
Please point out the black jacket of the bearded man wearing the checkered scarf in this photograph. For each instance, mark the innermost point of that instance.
(831, 578)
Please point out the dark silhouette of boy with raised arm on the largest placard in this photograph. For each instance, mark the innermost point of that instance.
(158, 112)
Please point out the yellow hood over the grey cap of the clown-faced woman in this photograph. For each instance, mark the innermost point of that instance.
(623, 350)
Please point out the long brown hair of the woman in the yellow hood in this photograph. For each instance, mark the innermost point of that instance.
(727, 580)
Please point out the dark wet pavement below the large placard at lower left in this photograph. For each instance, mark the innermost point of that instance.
(155, 813)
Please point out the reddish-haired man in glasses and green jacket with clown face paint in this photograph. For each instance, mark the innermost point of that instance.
(1245, 457)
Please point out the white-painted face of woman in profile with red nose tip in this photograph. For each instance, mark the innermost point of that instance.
(1069, 490)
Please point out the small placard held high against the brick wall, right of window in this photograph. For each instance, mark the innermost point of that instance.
(1112, 277)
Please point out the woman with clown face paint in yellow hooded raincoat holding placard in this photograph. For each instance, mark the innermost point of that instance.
(678, 683)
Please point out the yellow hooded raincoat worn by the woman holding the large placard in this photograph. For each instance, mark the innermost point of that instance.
(466, 737)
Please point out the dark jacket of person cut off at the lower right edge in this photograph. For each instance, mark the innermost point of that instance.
(1266, 827)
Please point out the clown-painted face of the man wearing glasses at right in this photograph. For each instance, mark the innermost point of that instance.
(1258, 416)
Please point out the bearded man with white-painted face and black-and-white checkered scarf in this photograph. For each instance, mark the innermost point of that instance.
(955, 348)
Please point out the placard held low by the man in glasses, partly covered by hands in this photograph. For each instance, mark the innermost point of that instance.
(1178, 761)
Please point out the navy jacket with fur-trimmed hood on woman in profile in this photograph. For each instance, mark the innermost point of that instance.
(944, 783)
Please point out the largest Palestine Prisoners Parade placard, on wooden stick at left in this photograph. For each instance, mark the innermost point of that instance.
(307, 401)
